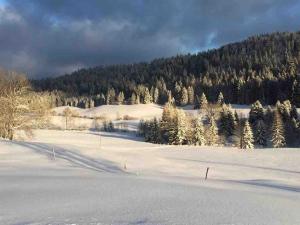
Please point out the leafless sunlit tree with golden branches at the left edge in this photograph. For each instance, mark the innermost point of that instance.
(21, 108)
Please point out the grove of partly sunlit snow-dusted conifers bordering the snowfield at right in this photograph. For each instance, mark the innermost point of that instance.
(218, 125)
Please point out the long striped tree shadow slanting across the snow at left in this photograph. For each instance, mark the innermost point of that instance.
(74, 158)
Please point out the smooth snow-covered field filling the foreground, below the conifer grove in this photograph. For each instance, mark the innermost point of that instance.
(118, 179)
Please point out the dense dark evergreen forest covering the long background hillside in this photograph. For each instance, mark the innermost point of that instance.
(263, 68)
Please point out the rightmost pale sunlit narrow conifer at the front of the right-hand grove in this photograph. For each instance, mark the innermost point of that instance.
(278, 138)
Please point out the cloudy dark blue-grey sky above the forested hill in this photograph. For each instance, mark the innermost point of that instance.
(44, 38)
